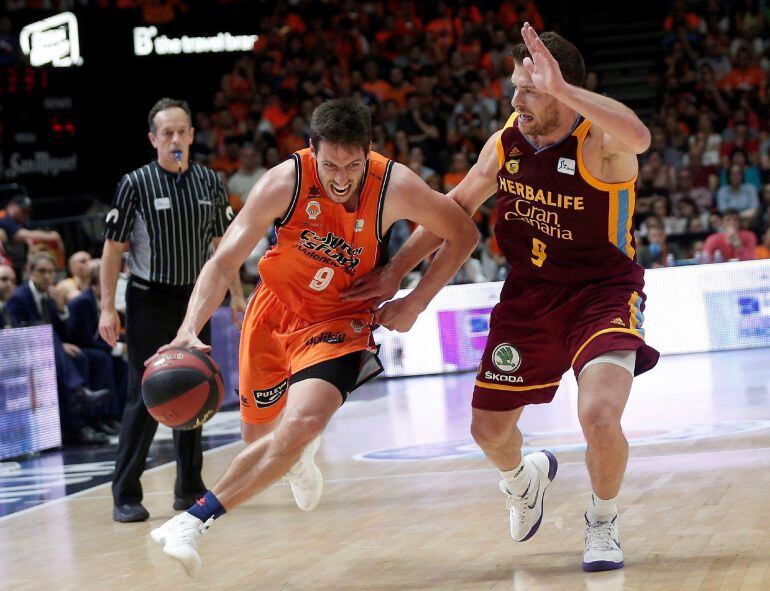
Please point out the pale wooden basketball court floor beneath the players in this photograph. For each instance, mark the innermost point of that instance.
(410, 503)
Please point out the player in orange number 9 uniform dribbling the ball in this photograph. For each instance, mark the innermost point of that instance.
(302, 348)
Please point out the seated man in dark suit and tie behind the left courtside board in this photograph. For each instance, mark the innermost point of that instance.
(37, 302)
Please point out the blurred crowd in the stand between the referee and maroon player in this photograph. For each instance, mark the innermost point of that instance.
(436, 75)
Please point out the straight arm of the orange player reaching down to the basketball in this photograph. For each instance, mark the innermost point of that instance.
(269, 200)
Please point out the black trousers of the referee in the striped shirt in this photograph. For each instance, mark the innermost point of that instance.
(153, 315)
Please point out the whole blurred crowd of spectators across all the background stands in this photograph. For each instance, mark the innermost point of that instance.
(437, 77)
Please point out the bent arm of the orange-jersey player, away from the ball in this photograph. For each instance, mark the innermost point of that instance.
(410, 198)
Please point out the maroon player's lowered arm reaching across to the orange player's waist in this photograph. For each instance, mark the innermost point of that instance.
(473, 190)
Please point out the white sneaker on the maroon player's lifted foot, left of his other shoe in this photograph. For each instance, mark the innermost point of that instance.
(526, 511)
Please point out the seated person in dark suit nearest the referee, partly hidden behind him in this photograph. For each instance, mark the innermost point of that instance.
(83, 331)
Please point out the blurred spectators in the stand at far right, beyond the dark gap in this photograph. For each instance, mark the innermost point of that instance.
(704, 184)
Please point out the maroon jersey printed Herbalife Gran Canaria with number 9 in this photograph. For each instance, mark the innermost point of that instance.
(555, 221)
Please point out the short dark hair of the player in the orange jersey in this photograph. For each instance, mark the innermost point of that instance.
(346, 121)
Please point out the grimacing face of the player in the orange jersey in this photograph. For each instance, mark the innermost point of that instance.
(340, 169)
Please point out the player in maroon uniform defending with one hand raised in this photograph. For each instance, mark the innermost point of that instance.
(564, 169)
